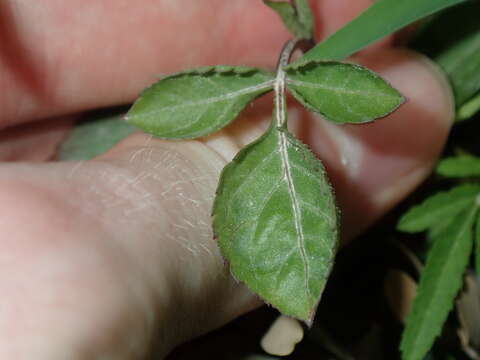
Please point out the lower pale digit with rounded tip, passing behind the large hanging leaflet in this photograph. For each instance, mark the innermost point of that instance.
(144, 207)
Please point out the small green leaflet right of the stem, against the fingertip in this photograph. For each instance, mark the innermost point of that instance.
(343, 93)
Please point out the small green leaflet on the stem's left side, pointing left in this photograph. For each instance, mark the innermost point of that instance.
(198, 102)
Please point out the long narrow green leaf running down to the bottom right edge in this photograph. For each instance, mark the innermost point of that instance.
(439, 283)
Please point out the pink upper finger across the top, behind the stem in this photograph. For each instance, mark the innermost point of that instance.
(67, 57)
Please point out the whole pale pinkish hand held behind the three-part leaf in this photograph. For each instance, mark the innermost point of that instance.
(114, 258)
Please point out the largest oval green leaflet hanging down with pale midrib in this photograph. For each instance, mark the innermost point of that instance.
(276, 222)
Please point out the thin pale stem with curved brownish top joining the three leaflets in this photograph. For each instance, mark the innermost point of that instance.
(280, 112)
